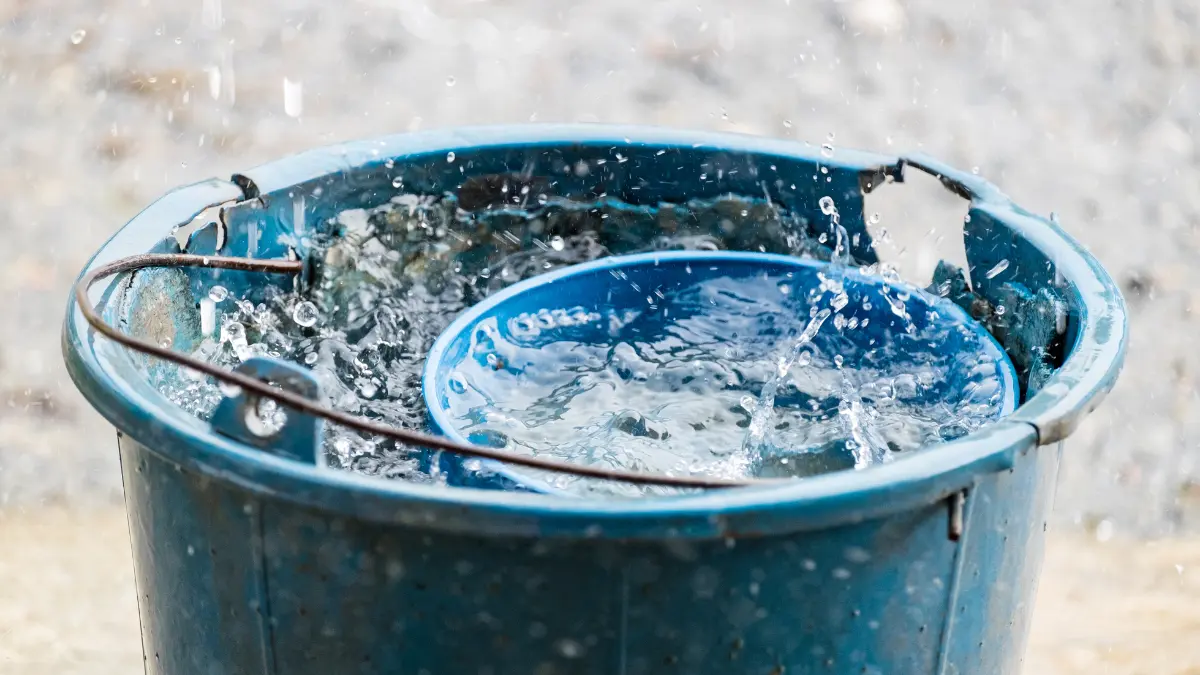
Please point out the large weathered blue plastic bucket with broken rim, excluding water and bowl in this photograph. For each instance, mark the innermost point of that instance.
(250, 559)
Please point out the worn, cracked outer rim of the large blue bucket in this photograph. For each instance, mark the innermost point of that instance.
(823, 501)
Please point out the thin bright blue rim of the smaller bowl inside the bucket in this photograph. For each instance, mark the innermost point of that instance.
(435, 361)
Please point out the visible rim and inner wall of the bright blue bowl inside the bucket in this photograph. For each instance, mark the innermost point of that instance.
(525, 314)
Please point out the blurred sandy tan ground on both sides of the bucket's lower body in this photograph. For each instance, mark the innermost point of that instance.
(68, 605)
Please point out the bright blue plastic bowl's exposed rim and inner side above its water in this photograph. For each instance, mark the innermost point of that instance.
(523, 318)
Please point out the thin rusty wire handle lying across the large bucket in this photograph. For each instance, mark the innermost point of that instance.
(315, 409)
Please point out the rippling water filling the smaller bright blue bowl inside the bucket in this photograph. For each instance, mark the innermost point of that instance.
(721, 366)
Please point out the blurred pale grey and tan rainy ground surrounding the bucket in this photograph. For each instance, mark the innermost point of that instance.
(1087, 110)
